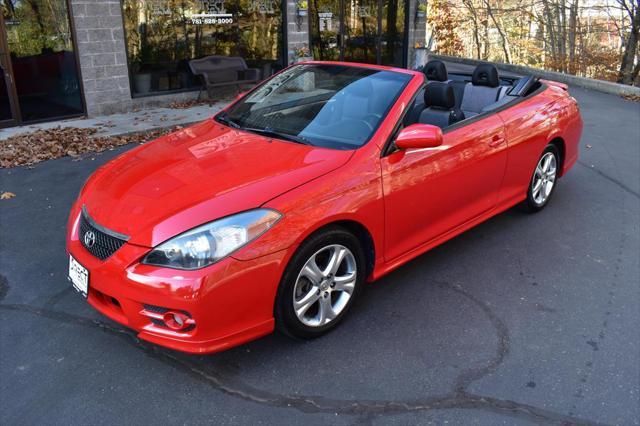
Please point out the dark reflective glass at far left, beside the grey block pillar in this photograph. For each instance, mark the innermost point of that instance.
(39, 49)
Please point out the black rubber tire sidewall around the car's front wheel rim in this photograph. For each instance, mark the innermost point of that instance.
(286, 319)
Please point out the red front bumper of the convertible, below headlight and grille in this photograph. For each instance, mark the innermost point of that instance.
(230, 302)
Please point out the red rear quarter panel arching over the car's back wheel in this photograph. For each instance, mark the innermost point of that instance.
(529, 126)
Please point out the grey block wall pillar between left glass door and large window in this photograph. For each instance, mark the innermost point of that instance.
(103, 60)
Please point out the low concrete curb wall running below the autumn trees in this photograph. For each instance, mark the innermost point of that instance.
(587, 83)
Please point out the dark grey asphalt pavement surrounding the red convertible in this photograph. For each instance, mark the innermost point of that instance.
(525, 319)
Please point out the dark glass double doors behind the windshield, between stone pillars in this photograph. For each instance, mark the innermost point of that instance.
(368, 31)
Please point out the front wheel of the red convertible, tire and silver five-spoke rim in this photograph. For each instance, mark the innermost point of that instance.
(312, 301)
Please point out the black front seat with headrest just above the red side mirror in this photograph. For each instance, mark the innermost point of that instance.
(440, 106)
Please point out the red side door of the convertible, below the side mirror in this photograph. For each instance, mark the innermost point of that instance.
(429, 192)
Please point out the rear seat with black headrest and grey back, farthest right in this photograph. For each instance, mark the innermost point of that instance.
(483, 90)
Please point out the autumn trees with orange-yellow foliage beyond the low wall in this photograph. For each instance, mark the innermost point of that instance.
(596, 39)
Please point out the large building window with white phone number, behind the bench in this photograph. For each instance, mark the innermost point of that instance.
(163, 35)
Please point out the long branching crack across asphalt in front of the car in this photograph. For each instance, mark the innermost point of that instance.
(458, 399)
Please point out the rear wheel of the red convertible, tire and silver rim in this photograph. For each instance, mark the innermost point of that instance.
(545, 175)
